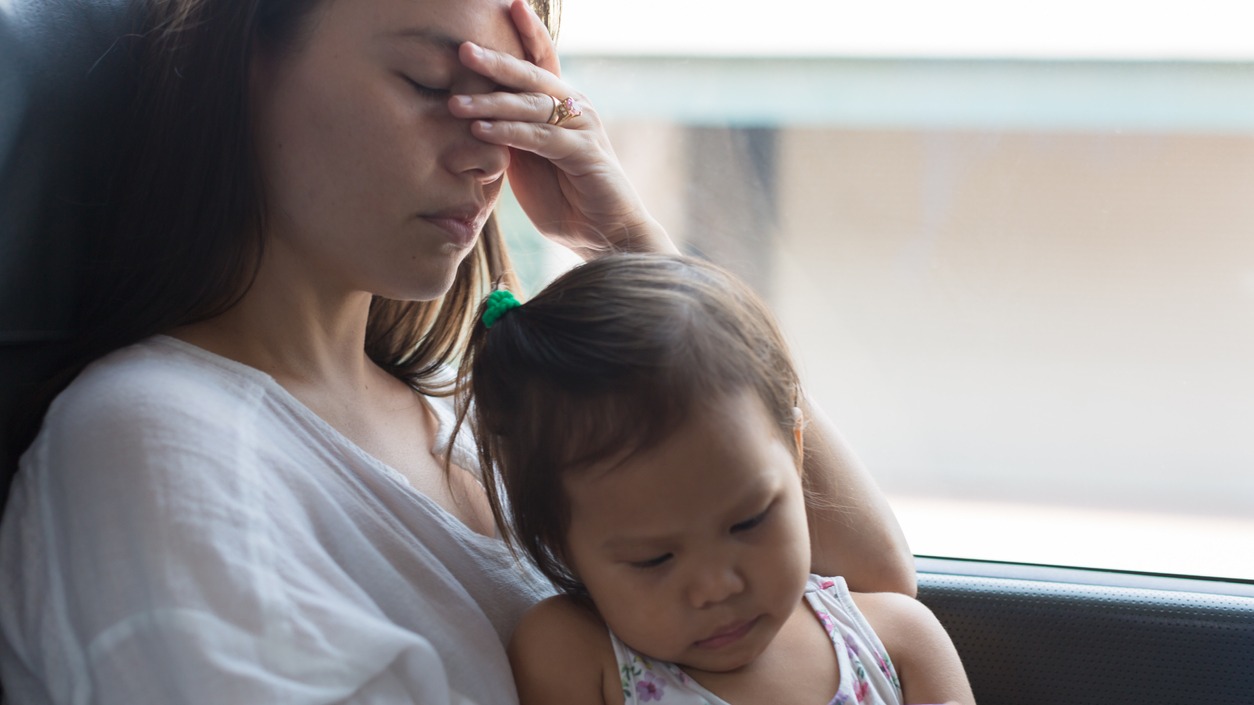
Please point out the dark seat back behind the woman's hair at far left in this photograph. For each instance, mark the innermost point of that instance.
(63, 87)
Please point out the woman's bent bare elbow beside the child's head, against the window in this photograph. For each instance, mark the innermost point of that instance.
(853, 533)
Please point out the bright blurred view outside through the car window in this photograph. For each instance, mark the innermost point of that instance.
(1013, 245)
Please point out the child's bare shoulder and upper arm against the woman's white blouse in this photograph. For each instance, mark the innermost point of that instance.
(561, 654)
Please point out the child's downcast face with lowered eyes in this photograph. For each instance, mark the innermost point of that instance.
(697, 551)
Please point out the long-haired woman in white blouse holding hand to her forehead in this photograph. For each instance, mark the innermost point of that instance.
(244, 499)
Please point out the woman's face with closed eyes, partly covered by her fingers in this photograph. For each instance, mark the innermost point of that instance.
(371, 184)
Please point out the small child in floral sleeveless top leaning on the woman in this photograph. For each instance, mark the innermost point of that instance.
(643, 418)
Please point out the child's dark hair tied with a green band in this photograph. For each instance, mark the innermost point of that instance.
(604, 363)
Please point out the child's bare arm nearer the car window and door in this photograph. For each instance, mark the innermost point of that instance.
(922, 653)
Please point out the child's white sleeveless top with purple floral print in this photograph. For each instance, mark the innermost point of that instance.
(867, 677)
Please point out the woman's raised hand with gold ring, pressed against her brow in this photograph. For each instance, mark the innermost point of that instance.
(565, 176)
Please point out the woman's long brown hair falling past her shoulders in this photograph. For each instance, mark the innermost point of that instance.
(182, 231)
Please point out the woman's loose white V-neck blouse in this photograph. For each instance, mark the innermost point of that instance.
(185, 531)
